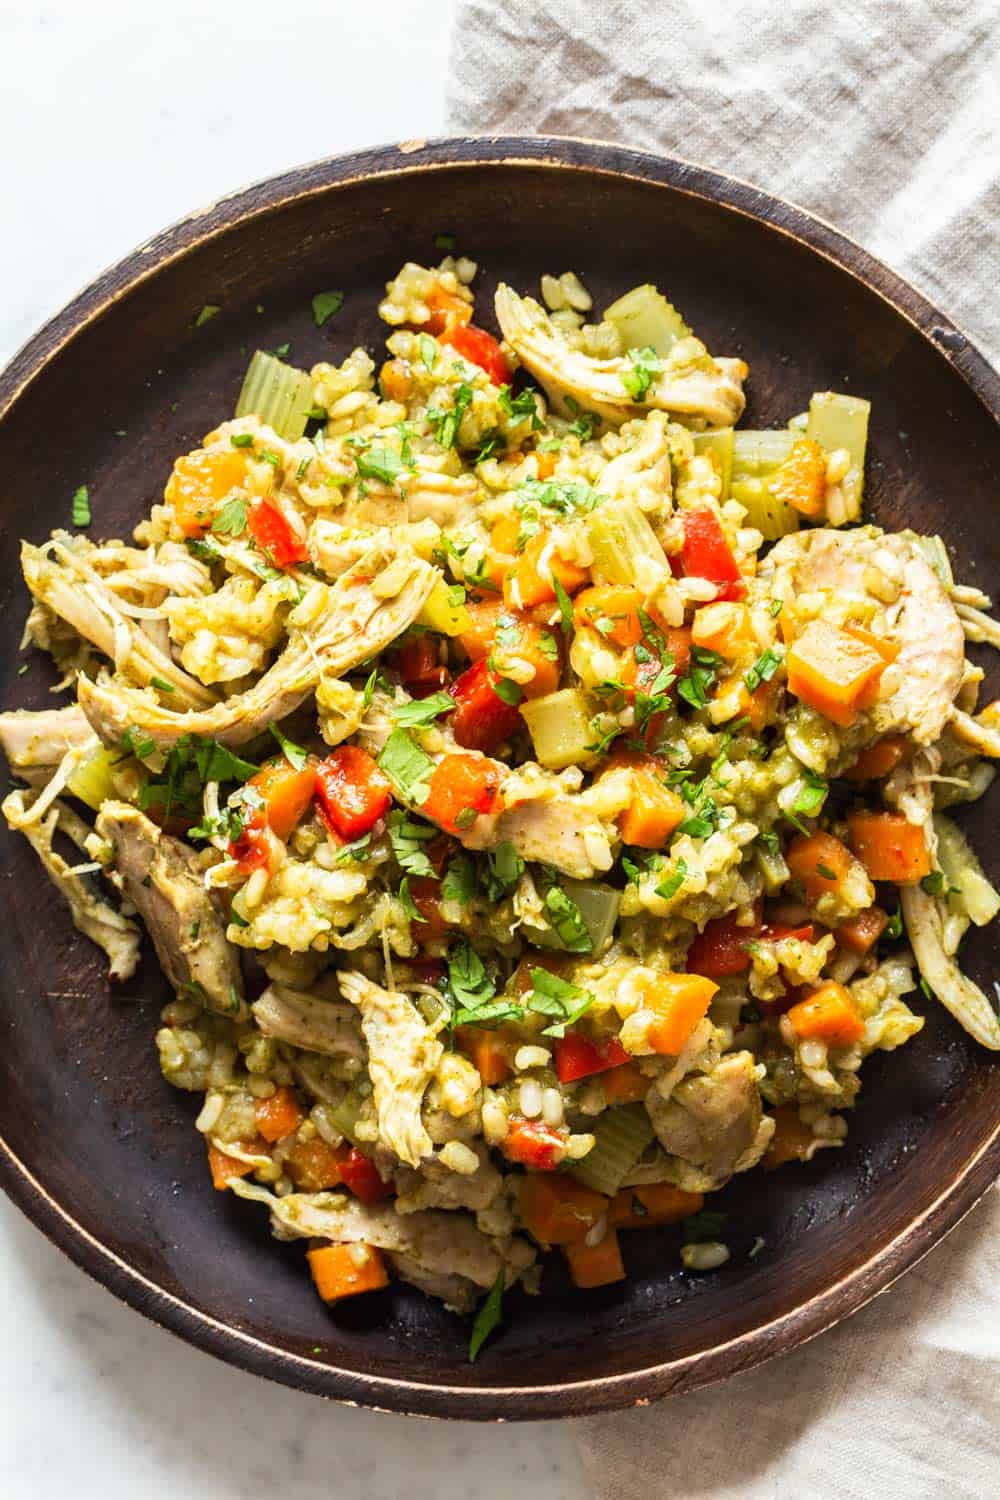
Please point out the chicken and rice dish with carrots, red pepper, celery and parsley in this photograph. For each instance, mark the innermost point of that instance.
(536, 788)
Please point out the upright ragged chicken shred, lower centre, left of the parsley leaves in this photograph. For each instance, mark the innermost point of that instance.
(404, 1057)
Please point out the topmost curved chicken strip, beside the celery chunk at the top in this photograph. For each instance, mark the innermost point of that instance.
(705, 388)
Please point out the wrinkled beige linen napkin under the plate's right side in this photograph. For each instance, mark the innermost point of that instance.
(882, 118)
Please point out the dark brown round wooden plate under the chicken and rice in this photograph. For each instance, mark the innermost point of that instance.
(95, 1147)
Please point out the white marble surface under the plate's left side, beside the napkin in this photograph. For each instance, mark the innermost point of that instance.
(119, 116)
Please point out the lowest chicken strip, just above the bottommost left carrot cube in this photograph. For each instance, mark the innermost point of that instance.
(434, 1244)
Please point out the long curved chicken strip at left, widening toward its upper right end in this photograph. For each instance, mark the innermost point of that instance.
(334, 631)
